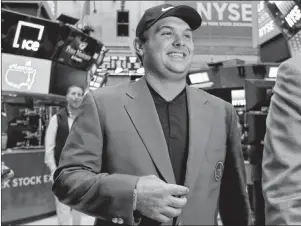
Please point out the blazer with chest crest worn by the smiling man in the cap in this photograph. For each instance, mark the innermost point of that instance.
(117, 137)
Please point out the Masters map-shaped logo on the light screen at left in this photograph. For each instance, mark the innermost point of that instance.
(20, 76)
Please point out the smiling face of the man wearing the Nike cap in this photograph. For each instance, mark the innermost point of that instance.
(168, 49)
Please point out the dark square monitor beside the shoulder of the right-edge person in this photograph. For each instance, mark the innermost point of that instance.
(258, 94)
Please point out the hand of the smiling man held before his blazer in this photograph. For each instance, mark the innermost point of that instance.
(158, 200)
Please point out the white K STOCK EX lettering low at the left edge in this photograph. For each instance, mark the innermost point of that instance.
(26, 181)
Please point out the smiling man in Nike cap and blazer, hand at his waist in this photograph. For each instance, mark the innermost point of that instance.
(156, 150)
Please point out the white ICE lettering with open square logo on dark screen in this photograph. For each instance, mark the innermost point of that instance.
(28, 44)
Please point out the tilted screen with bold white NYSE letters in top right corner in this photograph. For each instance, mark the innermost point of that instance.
(287, 15)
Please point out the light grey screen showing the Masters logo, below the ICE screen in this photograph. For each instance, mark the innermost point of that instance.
(25, 74)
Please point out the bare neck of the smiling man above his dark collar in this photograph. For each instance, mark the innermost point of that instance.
(166, 89)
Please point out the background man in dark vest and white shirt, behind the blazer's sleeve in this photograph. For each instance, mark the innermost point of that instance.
(56, 135)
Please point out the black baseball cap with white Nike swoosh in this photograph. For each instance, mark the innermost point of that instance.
(156, 13)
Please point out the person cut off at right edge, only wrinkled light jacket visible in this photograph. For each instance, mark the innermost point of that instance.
(281, 165)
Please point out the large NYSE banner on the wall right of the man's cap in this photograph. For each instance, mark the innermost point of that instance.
(222, 18)
